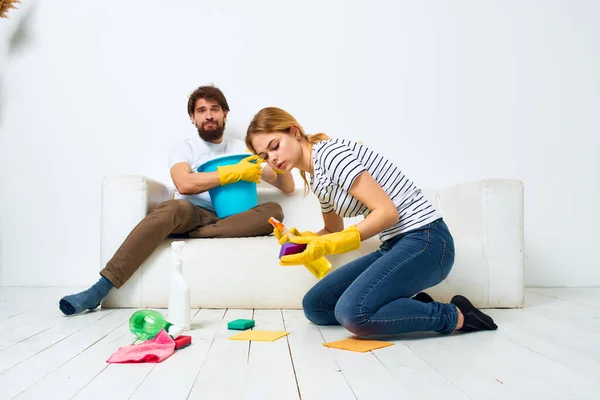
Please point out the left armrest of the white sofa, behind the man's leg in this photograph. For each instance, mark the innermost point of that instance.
(126, 200)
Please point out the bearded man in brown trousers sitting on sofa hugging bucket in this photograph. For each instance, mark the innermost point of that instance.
(190, 214)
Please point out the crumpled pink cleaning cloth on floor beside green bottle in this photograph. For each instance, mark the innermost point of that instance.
(153, 350)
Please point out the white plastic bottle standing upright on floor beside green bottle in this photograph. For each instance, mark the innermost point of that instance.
(179, 294)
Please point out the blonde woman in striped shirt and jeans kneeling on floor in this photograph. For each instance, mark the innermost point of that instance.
(374, 293)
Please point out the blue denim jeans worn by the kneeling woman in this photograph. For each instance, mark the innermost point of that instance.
(372, 295)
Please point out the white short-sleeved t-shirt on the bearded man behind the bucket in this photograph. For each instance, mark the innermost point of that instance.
(195, 152)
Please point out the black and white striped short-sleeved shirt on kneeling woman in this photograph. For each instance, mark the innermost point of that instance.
(338, 162)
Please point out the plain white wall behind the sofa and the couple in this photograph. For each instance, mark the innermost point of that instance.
(451, 90)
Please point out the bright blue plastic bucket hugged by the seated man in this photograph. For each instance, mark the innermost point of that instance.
(233, 198)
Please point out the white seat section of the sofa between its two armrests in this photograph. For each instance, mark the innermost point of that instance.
(243, 277)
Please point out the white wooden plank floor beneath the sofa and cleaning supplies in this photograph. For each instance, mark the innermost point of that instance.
(548, 350)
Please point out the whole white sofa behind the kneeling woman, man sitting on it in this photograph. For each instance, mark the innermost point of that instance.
(485, 218)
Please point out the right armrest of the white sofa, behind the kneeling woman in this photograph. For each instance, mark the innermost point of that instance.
(492, 212)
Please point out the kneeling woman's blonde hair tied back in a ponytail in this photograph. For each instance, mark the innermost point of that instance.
(273, 119)
